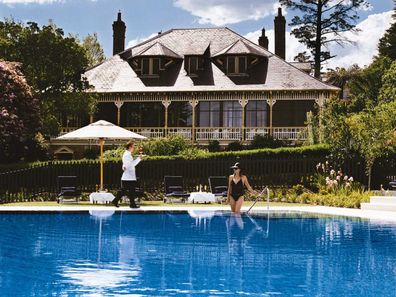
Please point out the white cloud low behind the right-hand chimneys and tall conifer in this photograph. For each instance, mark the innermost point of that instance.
(361, 51)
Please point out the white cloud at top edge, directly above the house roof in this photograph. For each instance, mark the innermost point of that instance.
(221, 12)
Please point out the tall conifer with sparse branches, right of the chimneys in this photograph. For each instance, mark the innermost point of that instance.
(322, 22)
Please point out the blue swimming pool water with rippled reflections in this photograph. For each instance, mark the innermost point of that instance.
(204, 254)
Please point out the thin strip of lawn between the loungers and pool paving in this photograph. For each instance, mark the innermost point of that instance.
(144, 203)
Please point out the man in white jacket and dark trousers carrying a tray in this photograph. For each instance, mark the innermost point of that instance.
(128, 179)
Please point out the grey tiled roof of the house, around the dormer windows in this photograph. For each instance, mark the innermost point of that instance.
(116, 75)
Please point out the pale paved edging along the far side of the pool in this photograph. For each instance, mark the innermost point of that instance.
(372, 215)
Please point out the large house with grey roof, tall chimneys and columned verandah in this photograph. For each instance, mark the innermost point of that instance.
(206, 84)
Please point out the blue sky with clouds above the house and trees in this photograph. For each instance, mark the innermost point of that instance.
(145, 17)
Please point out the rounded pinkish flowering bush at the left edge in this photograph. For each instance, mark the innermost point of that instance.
(19, 115)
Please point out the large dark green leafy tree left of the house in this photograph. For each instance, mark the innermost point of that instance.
(52, 64)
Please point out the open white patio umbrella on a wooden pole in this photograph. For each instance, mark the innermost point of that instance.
(101, 130)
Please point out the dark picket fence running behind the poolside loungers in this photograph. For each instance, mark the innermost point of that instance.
(40, 181)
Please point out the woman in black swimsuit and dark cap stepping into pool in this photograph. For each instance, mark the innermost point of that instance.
(236, 188)
